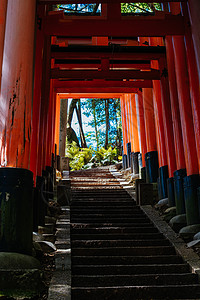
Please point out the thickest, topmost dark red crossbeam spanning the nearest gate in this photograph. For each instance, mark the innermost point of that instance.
(124, 28)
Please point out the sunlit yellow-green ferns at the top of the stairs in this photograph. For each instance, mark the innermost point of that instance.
(86, 158)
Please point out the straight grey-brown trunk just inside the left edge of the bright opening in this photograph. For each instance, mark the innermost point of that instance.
(63, 126)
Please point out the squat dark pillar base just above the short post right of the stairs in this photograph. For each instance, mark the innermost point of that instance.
(151, 159)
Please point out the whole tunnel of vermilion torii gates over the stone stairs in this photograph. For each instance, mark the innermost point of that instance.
(152, 63)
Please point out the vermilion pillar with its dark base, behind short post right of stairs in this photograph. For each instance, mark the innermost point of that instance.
(151, 156)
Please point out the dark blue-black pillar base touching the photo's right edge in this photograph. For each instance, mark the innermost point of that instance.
(191, 184)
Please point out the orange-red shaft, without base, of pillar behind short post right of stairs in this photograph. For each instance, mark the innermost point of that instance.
(149, 120)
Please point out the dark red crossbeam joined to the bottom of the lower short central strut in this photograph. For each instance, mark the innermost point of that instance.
(109, 75)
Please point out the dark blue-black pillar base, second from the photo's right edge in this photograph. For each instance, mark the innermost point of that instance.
(179, 191)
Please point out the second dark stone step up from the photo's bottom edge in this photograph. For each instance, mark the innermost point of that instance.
(133, 280)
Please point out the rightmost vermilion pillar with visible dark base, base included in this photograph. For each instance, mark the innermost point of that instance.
(191, 182)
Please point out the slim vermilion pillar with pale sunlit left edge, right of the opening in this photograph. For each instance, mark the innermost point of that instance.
(141, 125)
